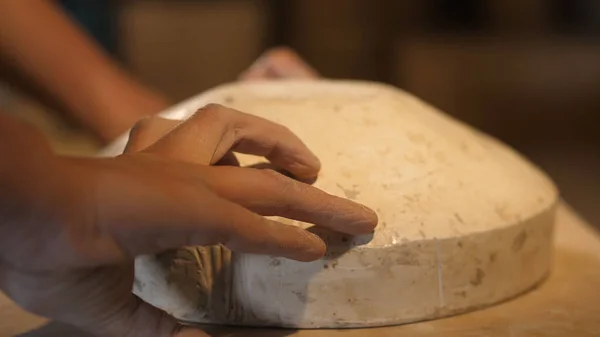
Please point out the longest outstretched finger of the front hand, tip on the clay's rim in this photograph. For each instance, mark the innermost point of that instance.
(267, 192)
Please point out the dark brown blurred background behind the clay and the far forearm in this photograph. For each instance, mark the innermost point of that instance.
(527, 72)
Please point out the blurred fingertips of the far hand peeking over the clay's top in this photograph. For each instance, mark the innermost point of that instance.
(279, 63)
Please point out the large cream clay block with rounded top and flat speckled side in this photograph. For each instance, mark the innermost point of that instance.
(465, 221)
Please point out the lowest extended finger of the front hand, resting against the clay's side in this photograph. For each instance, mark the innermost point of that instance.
(230, 225)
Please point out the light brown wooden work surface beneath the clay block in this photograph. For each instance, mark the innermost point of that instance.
(566, 304)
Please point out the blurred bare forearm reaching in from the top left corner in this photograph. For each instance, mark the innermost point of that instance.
(41, 42)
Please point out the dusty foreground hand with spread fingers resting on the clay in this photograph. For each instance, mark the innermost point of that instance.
(71, 257)
